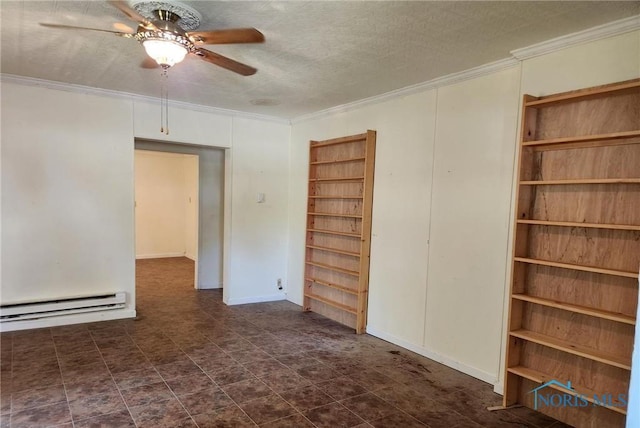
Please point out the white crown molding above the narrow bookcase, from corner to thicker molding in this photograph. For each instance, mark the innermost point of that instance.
(438, 82)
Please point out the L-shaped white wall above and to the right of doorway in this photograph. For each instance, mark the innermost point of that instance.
(255, 235)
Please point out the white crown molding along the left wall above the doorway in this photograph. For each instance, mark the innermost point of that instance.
(71, 87)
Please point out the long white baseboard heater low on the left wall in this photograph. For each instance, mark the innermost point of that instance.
(53, 308)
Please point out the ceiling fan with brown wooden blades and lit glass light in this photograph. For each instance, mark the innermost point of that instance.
(167, 37)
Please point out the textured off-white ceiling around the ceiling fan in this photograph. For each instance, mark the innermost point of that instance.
(317, 54)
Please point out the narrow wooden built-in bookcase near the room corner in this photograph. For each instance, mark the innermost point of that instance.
(339, 228)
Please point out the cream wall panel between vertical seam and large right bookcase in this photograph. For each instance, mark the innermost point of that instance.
(474, 161)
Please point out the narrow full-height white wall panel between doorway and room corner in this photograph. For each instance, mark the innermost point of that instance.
(259, 231)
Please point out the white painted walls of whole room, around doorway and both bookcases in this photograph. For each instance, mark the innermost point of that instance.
(445, 160)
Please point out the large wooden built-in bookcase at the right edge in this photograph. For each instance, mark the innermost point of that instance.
(576, 252)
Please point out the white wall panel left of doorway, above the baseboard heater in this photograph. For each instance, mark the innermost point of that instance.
(67, 195)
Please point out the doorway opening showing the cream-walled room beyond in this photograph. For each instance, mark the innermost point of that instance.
(179, 207)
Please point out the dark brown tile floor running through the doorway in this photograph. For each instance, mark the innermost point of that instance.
(190, 361)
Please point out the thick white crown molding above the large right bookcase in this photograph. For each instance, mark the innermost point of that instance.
(610, 29)
